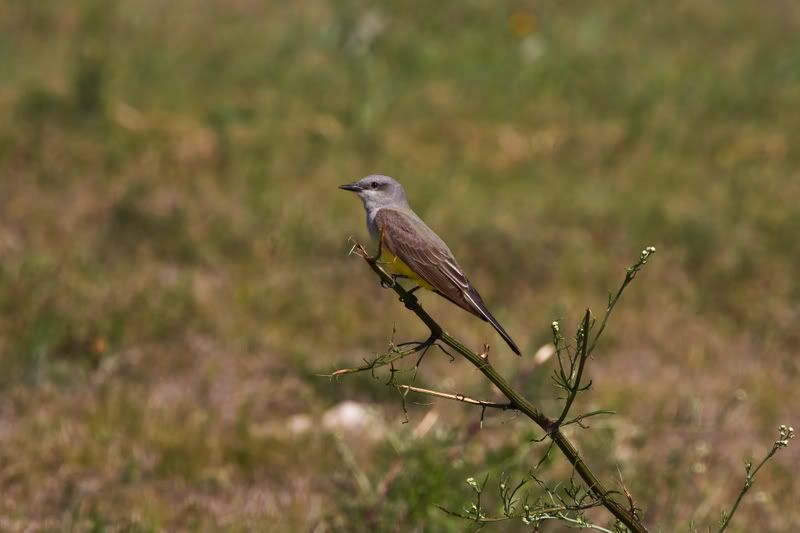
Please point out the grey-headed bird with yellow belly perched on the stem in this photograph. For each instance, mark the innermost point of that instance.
(410, 249)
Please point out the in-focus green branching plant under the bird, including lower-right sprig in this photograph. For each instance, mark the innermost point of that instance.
(569, 377)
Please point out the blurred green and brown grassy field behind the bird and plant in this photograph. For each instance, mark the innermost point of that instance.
(174, 269)
